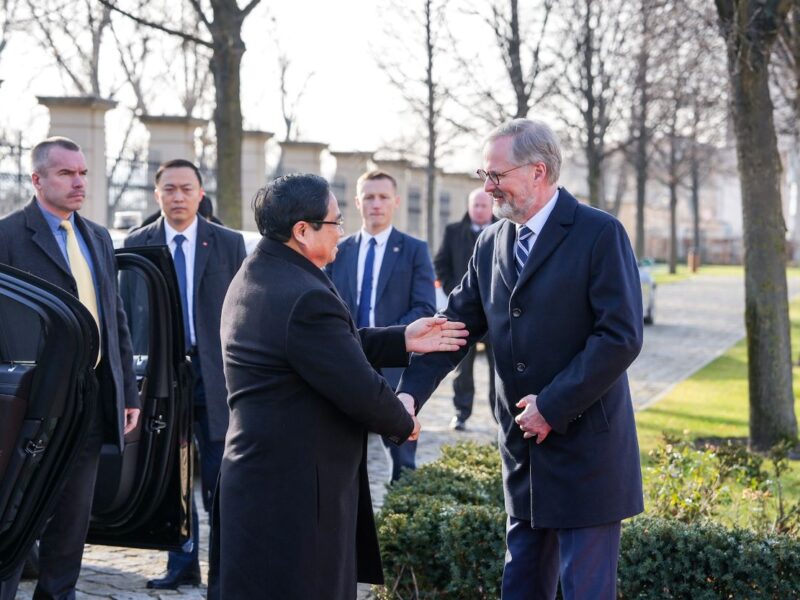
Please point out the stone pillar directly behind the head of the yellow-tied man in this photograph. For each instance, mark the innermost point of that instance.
(82, 119)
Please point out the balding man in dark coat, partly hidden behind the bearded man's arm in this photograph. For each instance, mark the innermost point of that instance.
(451, 263)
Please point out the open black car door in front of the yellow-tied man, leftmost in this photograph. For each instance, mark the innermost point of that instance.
(48, 348)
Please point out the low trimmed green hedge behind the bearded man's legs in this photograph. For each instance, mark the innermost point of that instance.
(442, 532)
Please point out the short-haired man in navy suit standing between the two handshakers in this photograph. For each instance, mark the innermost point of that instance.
(385, 277)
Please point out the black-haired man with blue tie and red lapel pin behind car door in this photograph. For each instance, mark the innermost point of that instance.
(206, 258)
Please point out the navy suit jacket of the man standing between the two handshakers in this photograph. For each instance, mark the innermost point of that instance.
(405, 289)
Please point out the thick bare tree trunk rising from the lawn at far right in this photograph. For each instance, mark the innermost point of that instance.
(750, 28)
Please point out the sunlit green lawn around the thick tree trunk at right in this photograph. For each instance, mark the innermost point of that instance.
(714, 403)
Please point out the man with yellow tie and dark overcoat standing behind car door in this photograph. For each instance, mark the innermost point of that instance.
(49, 239)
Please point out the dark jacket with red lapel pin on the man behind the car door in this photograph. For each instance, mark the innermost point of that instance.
(219, 253)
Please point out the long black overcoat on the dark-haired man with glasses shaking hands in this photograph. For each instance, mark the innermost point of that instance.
(295, 511)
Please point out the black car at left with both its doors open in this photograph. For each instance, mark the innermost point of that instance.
(48, 346)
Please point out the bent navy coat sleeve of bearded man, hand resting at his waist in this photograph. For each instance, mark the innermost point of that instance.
(615, 298)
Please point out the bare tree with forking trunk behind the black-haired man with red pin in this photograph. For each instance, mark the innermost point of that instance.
(224, 26)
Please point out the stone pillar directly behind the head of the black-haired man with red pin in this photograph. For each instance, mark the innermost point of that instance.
(170, 137)
